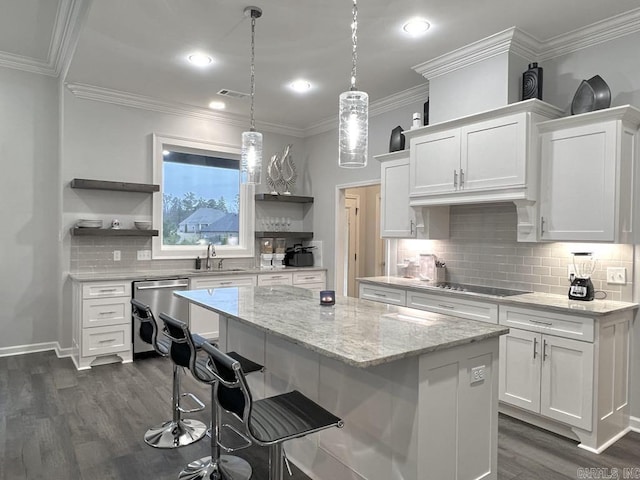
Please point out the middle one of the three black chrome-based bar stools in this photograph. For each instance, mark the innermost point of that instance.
(184, 350)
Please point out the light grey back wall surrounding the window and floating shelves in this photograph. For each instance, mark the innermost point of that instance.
(110, 142)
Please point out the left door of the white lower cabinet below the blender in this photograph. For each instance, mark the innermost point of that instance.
(519, 383)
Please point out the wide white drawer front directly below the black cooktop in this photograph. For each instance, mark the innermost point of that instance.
(469, 309)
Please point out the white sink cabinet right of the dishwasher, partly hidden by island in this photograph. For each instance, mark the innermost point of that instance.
(203, 321)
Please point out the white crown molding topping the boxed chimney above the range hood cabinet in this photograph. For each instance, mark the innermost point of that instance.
(509, 40)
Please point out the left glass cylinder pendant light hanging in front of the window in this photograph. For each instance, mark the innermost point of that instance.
(251, 160)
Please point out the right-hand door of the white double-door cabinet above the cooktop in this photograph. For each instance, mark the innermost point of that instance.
(494, 153)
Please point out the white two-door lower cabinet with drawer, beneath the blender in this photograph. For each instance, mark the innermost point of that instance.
(571, 372)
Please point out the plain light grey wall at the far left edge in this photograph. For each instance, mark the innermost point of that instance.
(29, 211)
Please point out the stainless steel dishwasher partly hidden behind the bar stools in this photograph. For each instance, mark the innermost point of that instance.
(158, 294)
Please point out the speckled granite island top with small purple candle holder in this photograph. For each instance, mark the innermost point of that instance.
(358, 332)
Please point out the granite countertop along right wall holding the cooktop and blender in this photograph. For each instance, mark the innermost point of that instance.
(559, 303)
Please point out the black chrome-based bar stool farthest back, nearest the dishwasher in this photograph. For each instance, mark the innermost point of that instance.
(178, 431)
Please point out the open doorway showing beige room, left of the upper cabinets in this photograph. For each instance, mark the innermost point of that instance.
(360, 252)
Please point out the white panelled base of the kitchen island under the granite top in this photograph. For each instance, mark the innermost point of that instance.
(416, 418)
